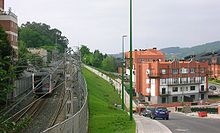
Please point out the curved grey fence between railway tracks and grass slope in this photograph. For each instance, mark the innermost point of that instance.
(78, 123)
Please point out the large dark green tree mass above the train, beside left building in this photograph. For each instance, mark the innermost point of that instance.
(37, 35)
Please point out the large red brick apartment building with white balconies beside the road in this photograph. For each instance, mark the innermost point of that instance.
(159, 81)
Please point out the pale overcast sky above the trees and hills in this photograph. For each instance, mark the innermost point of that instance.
(100, 23)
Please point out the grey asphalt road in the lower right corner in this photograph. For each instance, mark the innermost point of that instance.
(180, 123)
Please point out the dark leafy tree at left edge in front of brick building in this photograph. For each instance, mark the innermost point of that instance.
(6, 68)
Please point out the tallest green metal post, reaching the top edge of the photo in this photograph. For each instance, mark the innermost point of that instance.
(131, 91)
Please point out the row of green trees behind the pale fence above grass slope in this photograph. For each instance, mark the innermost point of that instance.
(98, 60)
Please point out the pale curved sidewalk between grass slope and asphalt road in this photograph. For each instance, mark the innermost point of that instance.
(147, 125)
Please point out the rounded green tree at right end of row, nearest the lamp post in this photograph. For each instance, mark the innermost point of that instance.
(109, 64)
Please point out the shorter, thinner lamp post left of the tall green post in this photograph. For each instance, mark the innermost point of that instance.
(123, 64)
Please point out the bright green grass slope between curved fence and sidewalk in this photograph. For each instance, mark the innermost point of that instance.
(104, 117)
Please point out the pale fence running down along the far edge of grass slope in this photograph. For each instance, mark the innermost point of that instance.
(117, 84)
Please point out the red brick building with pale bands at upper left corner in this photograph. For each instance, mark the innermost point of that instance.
(8, 21)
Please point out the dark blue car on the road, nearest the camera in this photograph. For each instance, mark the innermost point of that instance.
(160, 112)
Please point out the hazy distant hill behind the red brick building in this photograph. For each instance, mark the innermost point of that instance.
(183, 52)
